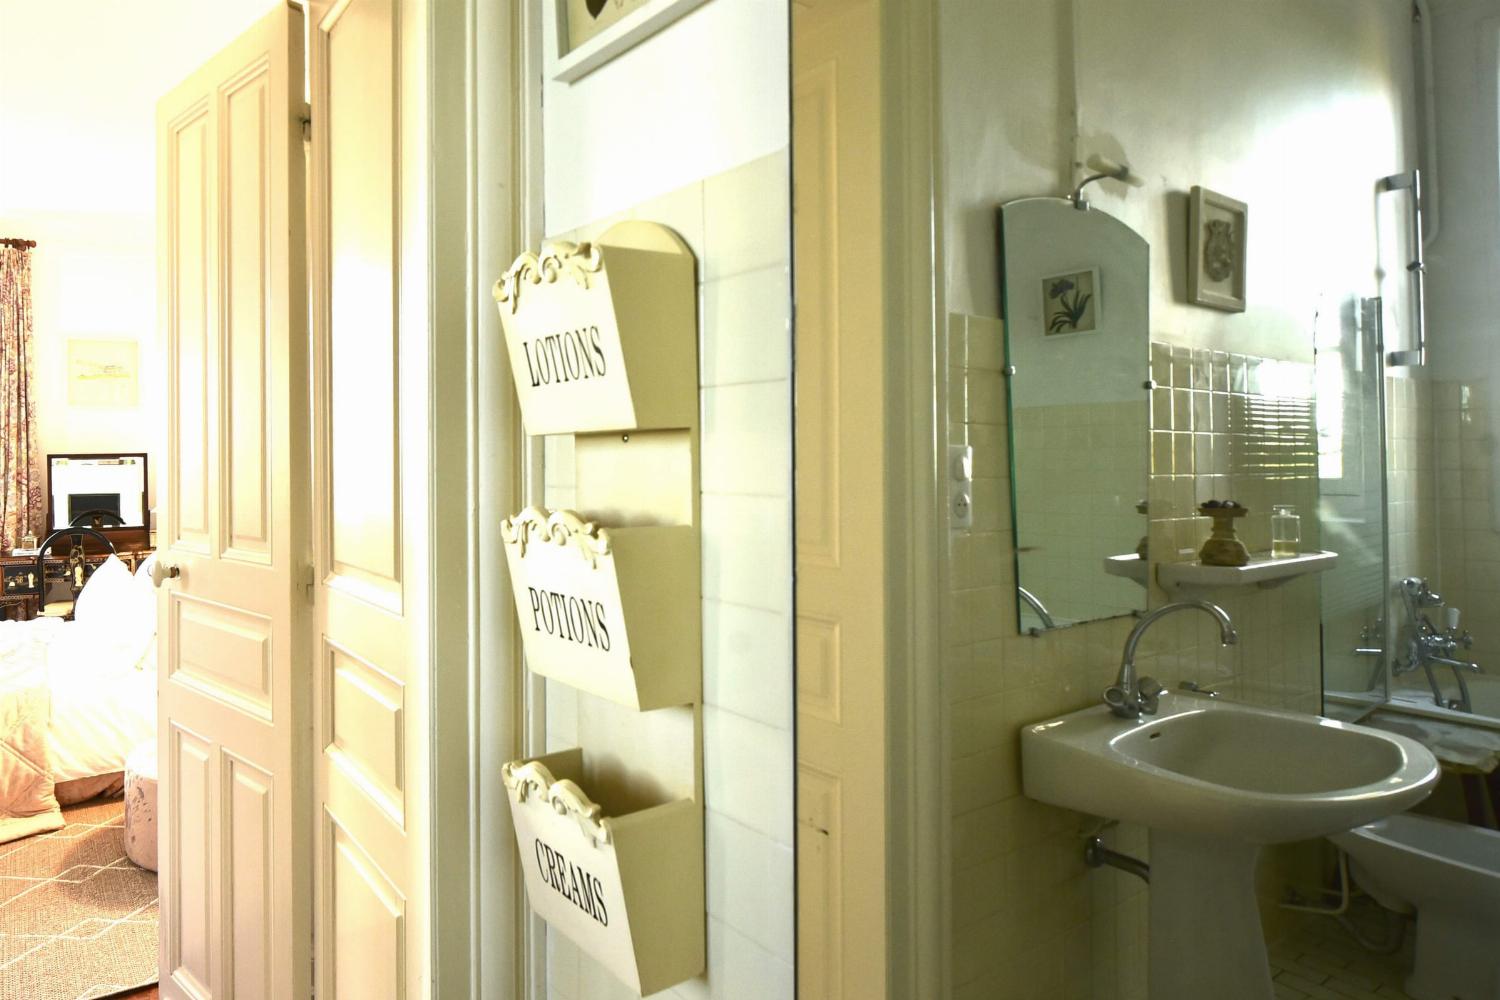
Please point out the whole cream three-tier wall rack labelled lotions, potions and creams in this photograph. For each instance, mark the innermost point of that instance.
(604, 346)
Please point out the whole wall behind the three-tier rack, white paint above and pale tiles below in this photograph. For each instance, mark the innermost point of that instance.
(691, 130)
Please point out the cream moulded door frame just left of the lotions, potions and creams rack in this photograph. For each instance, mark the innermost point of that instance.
(475, 887)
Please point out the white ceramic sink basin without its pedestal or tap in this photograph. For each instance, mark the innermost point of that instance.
(1214, 768)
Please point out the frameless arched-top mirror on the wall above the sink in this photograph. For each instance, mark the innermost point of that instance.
(1076, 302)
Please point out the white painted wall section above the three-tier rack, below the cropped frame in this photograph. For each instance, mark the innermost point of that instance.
(703, 97)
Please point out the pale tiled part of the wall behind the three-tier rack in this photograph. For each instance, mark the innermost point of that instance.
(739, 227)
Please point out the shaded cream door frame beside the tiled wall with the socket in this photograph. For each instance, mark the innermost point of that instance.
(917, 545)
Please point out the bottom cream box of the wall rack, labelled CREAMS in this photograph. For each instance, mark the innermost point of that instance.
(628, 888)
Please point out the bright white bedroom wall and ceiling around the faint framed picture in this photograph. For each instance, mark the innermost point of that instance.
(79, 176)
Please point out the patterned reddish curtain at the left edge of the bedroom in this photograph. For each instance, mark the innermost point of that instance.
(22, 479)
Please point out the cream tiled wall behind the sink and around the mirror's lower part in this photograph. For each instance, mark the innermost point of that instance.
(1028, 918)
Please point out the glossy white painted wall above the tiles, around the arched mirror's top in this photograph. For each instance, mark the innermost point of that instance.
(1295, 107)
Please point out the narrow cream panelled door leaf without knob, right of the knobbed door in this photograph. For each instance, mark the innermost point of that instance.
(371, 479)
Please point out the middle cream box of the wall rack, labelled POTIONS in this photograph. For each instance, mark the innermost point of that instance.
(613, 612)
